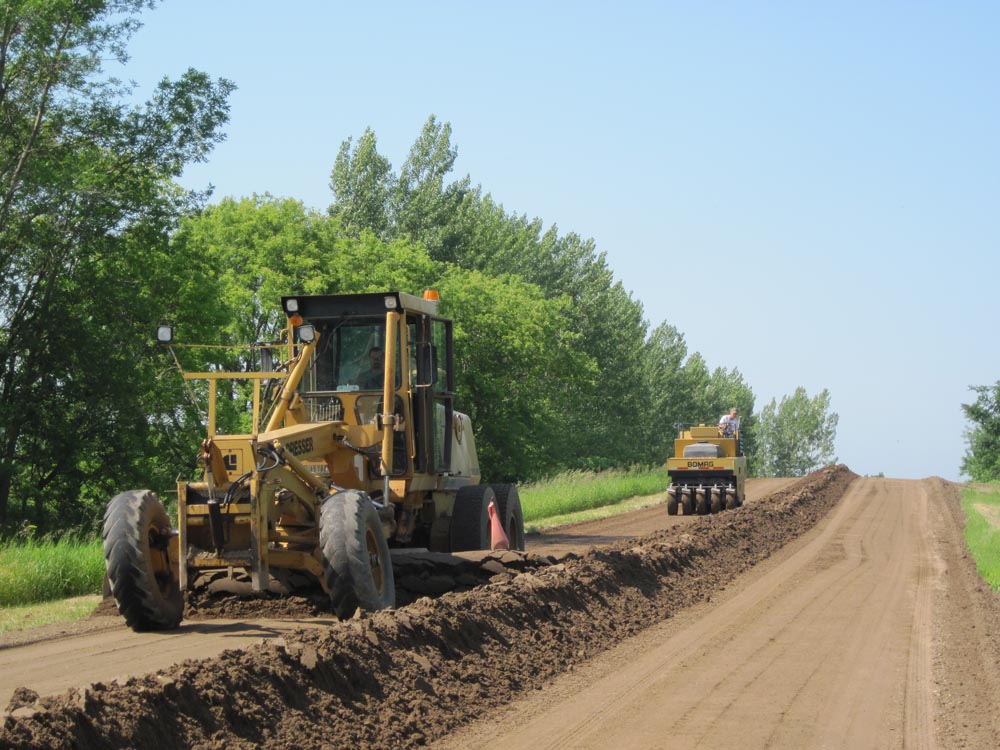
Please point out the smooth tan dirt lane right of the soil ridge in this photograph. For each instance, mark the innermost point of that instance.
(833, 645)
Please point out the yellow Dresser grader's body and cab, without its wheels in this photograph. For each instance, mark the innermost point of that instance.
(259, 502)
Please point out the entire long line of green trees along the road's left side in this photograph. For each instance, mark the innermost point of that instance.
(557, 365)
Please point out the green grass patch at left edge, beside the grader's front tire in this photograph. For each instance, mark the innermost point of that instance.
(42, 570)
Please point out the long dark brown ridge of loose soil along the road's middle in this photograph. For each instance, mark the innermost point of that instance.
(404, 678)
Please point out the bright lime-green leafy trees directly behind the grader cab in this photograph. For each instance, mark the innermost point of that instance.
(518, 370)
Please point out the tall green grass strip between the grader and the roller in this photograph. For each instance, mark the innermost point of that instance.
(563, 496)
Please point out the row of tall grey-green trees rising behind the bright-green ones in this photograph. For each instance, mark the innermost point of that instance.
(636, 385)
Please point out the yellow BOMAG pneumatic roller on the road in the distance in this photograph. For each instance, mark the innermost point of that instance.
(708, 471)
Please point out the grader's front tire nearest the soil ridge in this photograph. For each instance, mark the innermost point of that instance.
(357, 567)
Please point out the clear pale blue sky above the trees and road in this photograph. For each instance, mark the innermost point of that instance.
(808, 191)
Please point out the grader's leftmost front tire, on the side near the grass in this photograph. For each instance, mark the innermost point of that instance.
(142, 577)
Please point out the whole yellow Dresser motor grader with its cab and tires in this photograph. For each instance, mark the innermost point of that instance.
(362, 450)
